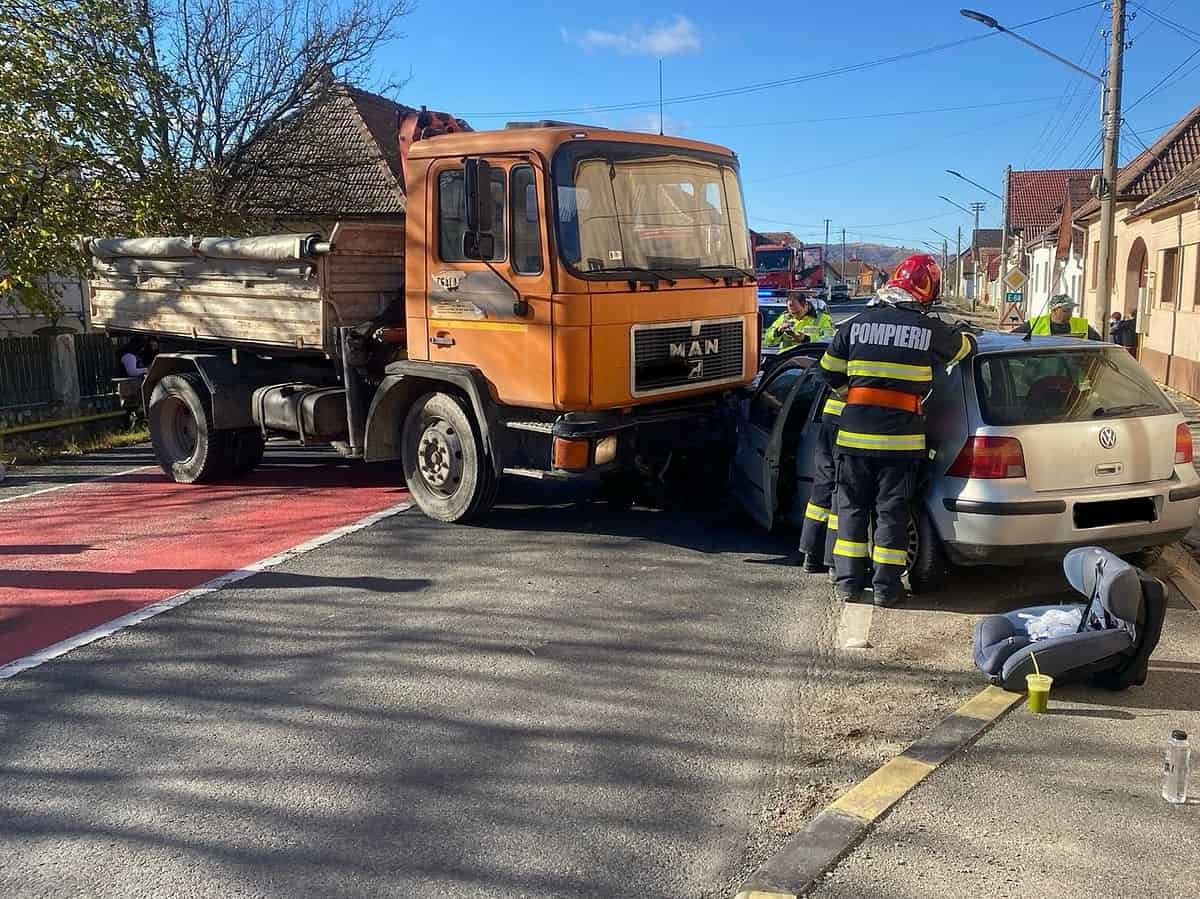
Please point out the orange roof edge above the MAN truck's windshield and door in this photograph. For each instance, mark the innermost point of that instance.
(547, 139)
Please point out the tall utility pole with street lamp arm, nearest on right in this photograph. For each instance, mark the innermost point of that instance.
(1111, 133)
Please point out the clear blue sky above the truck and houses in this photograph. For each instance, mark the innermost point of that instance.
(807, 151)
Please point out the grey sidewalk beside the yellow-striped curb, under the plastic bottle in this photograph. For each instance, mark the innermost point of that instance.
(1065, 805)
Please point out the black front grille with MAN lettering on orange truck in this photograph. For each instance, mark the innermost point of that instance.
(668, 357)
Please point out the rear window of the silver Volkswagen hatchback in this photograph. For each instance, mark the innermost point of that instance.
(1065, 386)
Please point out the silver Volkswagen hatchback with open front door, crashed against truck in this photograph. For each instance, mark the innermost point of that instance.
(1039, 447)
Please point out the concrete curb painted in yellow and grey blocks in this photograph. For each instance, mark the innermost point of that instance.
(849, 819)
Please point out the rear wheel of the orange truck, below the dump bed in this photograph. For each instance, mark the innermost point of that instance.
(181, 418)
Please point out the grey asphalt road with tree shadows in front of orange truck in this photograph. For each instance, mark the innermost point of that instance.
(562, 703)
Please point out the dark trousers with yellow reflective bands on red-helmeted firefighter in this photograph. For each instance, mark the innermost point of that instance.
(883, 488)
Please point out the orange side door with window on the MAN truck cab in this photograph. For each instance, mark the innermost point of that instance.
(493, 315)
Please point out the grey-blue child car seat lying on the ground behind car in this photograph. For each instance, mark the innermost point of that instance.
(1119, 630)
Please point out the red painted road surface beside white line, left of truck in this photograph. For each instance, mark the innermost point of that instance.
(86, 555)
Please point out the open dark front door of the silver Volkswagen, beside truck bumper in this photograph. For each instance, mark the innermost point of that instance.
(769, 430)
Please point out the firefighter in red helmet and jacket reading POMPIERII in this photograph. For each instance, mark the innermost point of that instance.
(887, 357)
